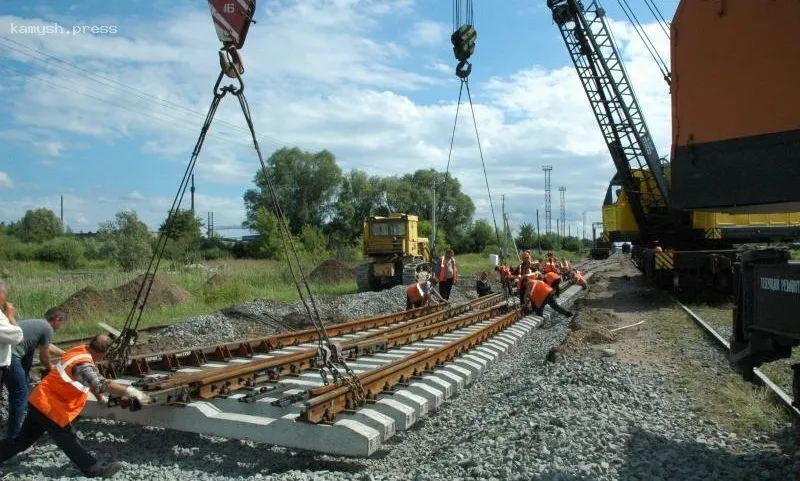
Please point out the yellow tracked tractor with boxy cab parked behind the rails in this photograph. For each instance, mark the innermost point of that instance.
(397, 253)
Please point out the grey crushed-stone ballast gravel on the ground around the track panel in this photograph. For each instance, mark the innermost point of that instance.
(524, 419)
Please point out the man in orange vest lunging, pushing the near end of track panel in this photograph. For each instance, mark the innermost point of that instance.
(60, 398)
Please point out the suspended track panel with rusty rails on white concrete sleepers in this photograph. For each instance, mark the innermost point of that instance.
(417, 365)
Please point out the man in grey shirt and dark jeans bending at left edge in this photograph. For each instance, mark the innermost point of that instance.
(37, 333)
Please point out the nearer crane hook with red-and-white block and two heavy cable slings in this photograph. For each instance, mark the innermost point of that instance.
(232, 21)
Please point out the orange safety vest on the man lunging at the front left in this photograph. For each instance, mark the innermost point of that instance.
(59, 396)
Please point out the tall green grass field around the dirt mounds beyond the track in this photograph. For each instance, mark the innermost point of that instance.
(35, 287)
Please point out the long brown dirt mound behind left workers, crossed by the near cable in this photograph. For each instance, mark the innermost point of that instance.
(162, 293)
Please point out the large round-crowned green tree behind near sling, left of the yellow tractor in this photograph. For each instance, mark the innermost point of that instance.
(305, 185)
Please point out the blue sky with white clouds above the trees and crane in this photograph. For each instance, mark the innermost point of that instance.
(108, 120)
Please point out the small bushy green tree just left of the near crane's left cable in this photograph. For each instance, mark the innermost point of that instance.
(127, 239)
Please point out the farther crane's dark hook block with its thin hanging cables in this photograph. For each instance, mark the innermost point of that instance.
(463, 40)
